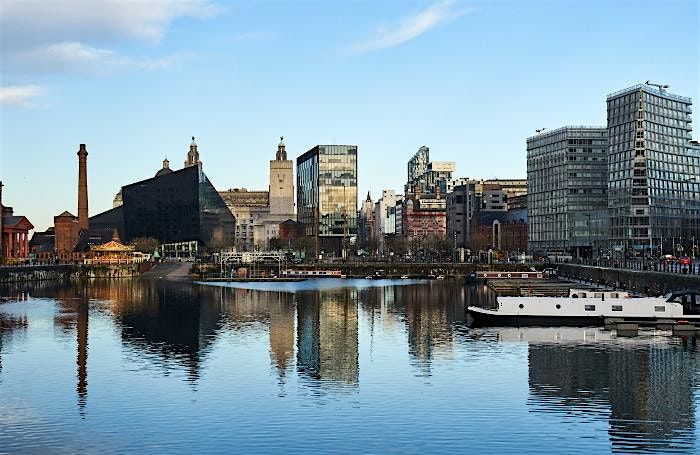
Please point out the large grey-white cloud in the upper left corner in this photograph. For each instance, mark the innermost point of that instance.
(44, 36)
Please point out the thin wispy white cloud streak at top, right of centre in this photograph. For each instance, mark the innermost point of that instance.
(410, 27)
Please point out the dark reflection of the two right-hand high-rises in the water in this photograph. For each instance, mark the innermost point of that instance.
(645, 390)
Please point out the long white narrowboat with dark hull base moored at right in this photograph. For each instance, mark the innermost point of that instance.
(585, 307)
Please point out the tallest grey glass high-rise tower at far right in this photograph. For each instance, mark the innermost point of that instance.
(654, 185)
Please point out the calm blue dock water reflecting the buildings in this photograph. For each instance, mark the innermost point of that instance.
(325, 366)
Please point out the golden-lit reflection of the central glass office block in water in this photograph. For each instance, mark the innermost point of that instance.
(327, 336)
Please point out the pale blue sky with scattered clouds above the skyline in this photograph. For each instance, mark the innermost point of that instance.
(134, 80)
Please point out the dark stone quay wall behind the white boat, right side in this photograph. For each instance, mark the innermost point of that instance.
(644, 281)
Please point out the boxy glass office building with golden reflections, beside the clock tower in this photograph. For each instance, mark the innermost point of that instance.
(327, 195)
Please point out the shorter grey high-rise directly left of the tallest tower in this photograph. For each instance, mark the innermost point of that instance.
(567, 185)
